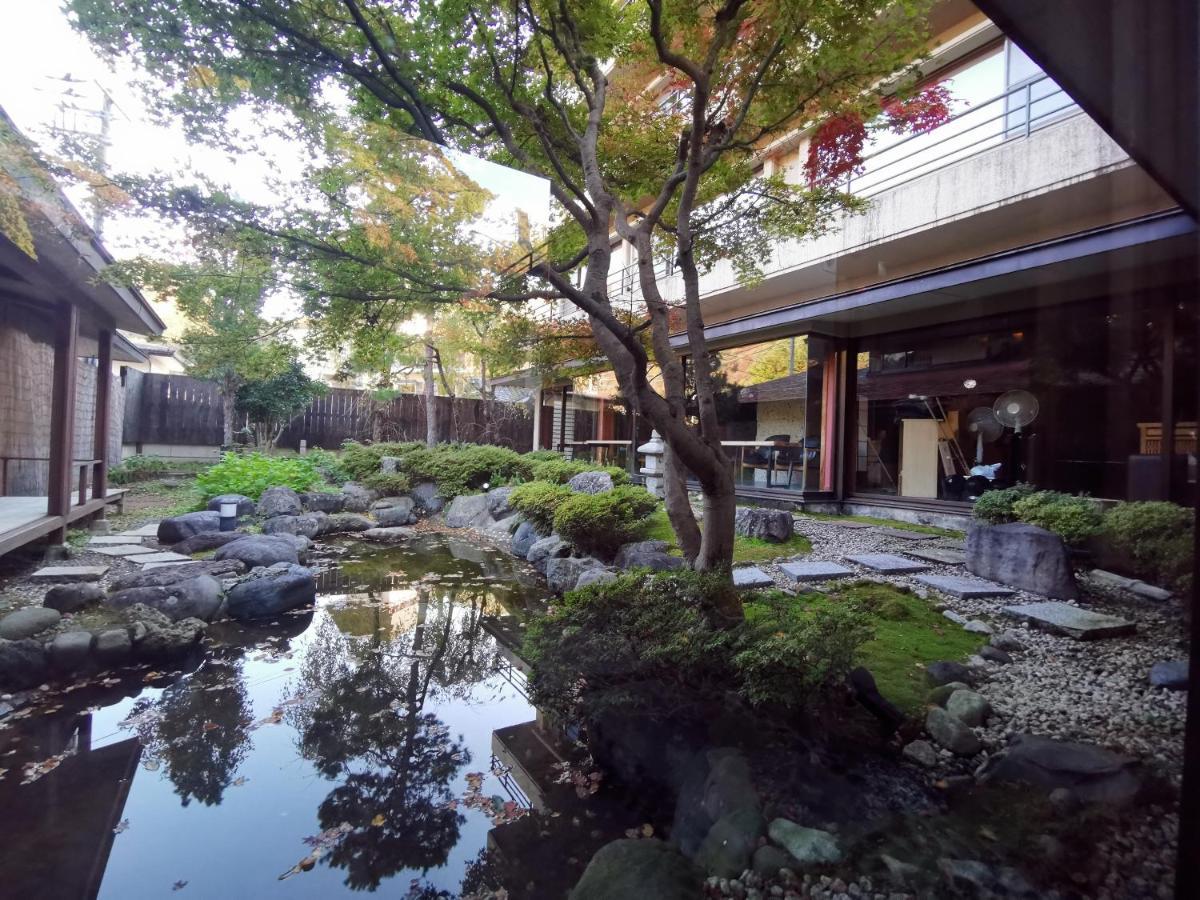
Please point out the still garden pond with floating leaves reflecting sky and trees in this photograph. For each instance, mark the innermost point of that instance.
(382, 741)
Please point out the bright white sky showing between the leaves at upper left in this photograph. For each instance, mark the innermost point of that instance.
(39, 49)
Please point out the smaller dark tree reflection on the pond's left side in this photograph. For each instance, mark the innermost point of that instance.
(199, 730)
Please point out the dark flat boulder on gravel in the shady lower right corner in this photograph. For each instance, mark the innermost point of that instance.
(1091, 773)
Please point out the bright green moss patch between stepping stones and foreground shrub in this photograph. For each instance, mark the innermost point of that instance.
(909, 634)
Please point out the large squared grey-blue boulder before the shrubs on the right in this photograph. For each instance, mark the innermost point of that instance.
(1023, 556)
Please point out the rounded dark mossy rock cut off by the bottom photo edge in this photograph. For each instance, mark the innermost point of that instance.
(628, 869)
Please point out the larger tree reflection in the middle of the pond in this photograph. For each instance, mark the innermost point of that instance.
(362, 722)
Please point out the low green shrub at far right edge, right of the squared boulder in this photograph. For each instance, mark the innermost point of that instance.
(1154, 539)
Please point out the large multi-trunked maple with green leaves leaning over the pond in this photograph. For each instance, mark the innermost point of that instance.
(559, 91)
